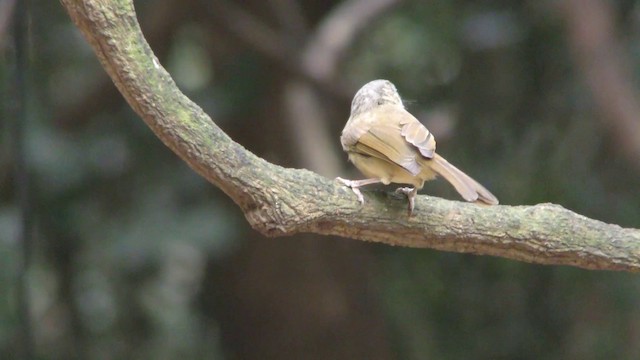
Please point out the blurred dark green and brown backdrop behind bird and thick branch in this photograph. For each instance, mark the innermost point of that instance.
(137, 257)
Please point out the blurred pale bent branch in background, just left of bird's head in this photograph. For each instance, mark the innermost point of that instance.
(321, 56)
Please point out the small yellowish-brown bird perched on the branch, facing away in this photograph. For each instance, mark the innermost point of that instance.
(389, 145)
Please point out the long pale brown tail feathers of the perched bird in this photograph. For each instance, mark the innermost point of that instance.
(470, 189)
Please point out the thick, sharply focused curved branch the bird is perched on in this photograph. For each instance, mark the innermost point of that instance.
(278, 201)
